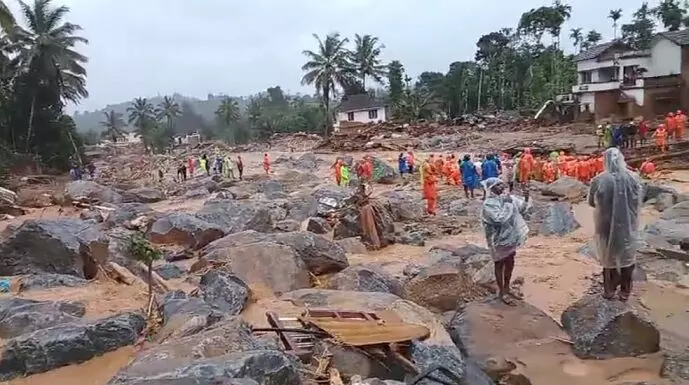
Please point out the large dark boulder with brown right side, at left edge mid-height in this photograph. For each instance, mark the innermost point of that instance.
(59, 246)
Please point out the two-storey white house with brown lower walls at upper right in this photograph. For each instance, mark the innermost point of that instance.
(616, 80)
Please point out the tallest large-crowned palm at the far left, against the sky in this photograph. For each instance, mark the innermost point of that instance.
(47, 56)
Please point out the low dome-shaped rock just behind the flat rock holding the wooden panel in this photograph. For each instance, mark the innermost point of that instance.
(365, 278)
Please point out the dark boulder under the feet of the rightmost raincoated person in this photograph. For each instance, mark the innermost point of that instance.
(600, 329)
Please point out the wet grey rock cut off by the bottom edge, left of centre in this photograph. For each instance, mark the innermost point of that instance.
(267, 367)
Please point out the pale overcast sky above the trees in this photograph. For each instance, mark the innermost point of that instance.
(196, 47)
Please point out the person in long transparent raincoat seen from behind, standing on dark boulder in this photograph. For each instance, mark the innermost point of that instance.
(616, 195)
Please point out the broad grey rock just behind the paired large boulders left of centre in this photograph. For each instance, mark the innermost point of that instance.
(234, 216)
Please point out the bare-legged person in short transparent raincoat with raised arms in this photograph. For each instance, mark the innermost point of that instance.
(505, 230)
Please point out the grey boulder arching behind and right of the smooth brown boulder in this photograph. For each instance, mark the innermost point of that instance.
(319, 254)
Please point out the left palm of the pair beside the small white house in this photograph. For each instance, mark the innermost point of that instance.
(327, 67)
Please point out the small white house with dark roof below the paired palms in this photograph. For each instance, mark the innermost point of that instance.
(360, 108)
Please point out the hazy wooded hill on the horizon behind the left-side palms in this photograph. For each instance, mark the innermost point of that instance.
(90, 120)
